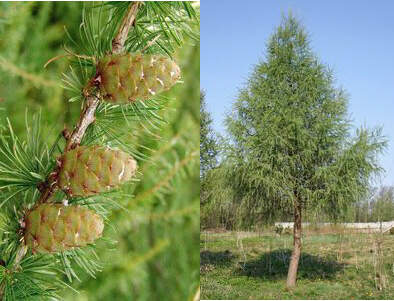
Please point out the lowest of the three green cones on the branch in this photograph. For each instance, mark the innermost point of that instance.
(55, 227)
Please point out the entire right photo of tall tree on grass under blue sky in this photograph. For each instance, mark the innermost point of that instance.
(297, 150)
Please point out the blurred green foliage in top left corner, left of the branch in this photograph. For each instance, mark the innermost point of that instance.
(33, 33)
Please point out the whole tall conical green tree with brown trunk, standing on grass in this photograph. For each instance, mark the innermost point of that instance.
(292, 143)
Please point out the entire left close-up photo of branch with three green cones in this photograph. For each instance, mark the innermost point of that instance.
(99, 148)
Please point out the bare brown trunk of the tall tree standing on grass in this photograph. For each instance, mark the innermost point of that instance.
(295, 256)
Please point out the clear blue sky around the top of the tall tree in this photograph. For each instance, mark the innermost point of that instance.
(354, 37)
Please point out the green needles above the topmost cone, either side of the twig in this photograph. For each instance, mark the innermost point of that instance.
(160, 27)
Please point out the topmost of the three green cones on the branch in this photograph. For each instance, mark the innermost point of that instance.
(129, 77)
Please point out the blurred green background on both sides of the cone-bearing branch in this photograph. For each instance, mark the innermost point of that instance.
(155, 255)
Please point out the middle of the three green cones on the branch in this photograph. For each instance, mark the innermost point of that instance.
(88, 170)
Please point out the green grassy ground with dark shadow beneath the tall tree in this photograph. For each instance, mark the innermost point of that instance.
(332, 266)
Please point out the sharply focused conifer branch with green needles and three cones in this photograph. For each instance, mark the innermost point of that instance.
(57, 198)
